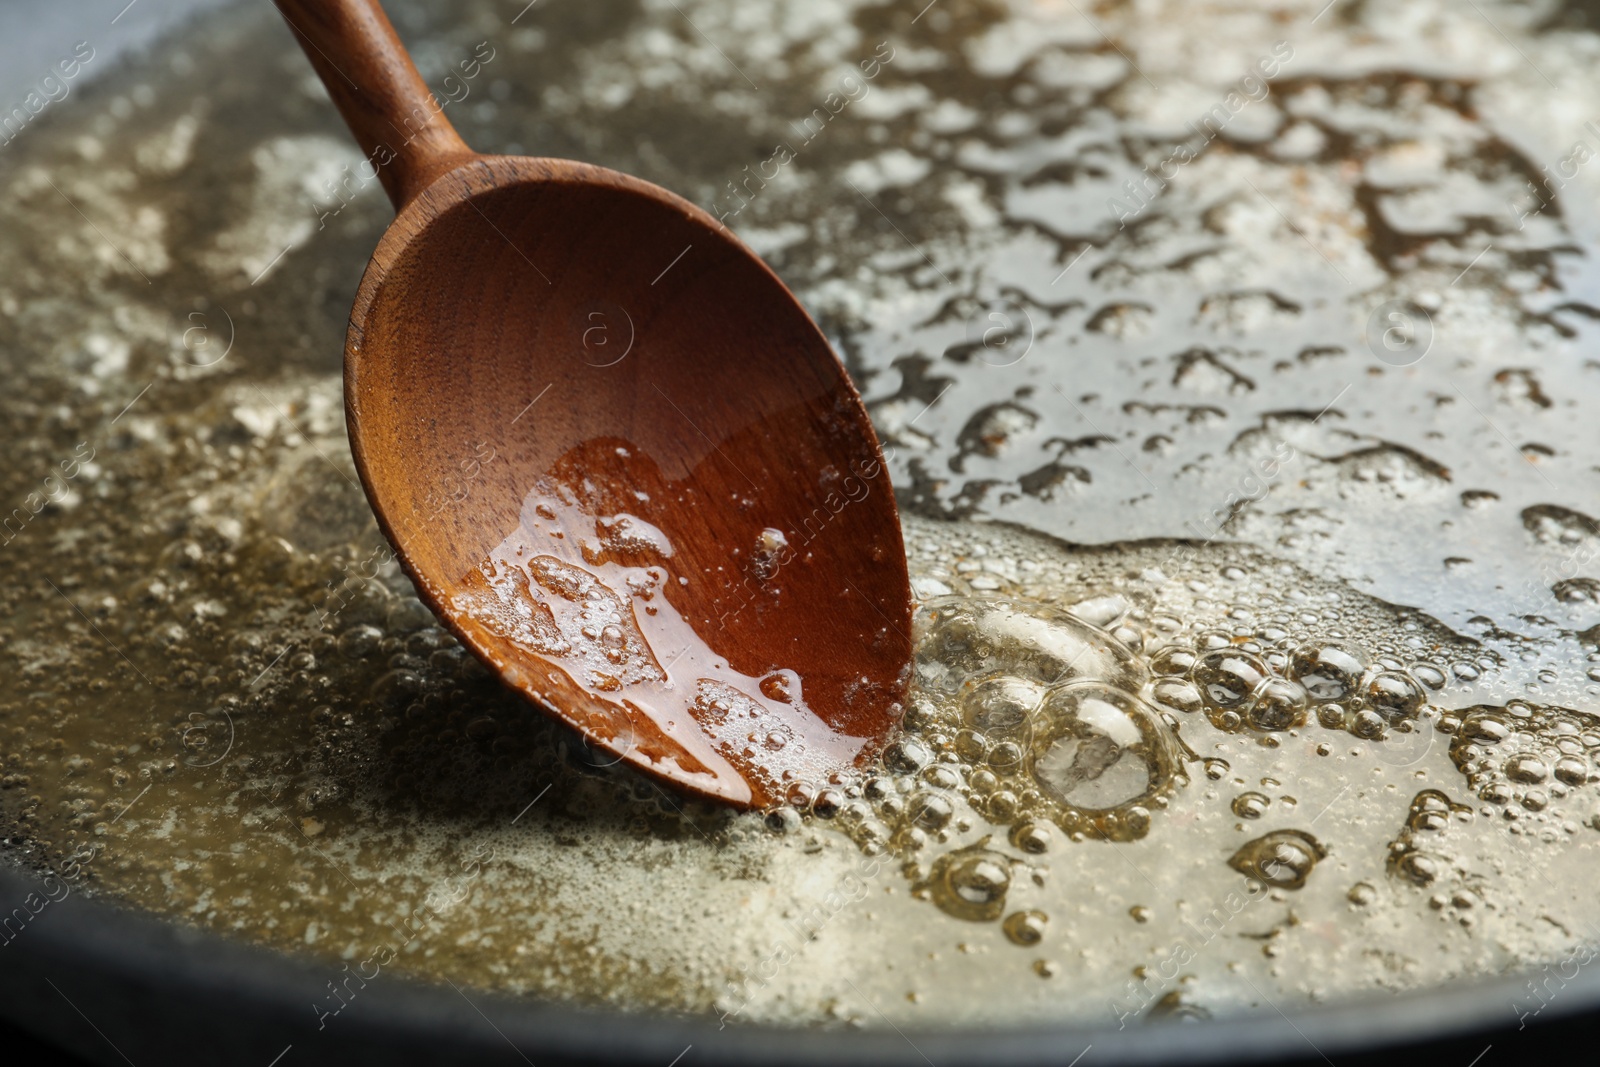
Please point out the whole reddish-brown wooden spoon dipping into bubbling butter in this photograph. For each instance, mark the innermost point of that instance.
(612, 450)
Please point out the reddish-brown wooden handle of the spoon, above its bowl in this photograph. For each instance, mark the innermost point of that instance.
(375, 86)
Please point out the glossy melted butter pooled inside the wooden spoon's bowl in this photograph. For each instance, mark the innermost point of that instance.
(591, 596)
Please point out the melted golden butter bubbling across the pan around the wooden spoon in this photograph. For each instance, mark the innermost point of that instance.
(1138, 780)
